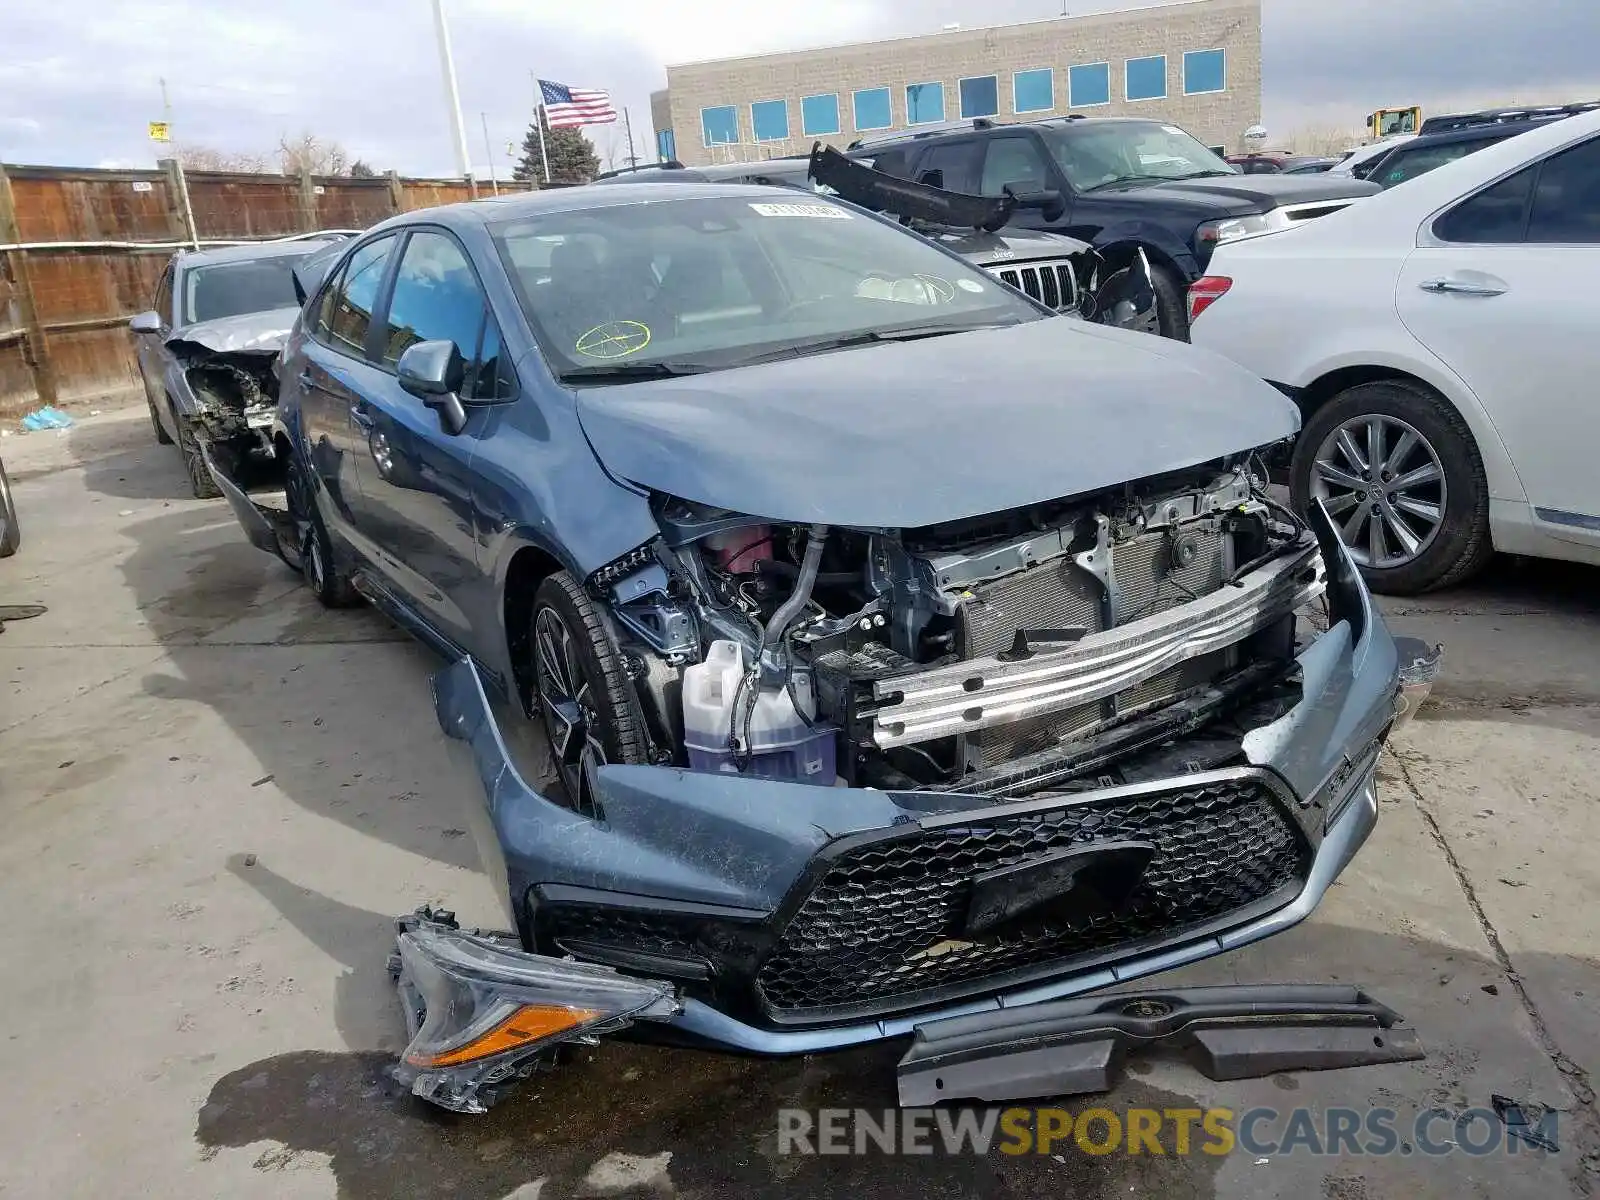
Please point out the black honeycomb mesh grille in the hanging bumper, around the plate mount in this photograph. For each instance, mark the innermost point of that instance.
(886, 921)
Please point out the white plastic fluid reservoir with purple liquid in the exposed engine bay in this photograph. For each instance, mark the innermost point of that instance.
(783, 746)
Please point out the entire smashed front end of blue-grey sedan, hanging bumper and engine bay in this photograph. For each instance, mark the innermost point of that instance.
(905, 775)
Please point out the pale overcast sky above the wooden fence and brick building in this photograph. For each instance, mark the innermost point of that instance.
(79, 79)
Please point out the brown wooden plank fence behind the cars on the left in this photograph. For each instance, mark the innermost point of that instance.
(95, 246)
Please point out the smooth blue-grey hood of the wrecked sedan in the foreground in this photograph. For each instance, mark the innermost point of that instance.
(911, 434)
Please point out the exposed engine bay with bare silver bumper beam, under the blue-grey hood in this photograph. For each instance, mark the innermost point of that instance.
(986, 655)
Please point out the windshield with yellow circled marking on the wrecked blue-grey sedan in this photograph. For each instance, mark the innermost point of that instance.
(705, 284)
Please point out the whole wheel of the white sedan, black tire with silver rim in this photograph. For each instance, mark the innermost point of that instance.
(1444, 511)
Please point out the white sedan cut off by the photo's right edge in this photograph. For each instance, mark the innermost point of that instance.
(1444, 345)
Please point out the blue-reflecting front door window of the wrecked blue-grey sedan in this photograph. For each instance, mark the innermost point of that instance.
(438, 298)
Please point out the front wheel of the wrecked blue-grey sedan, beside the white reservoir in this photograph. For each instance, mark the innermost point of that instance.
(586, 700)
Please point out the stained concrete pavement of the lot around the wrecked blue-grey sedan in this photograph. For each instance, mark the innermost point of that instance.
(215, 798)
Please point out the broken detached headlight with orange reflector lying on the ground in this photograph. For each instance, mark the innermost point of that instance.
(481, 1014)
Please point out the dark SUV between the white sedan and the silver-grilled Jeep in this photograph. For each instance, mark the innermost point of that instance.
(1119, 183)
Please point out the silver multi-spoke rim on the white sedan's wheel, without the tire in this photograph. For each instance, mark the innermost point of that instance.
(1385, 487)
